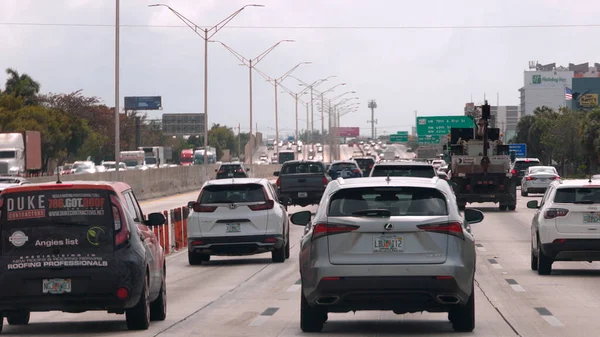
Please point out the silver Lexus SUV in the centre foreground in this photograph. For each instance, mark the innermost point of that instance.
(384, 243)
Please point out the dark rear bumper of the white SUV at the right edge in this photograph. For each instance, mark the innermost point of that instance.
(573, 250)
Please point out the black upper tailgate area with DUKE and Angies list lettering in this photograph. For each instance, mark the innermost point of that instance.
(57, 222)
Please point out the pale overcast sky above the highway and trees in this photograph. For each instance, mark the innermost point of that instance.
(432, 71)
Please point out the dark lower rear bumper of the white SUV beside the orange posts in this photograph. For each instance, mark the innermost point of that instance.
(235, 245)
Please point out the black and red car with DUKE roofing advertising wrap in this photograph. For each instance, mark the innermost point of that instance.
(80, 246)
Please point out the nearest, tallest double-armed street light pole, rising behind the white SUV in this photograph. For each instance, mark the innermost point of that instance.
(206, 34)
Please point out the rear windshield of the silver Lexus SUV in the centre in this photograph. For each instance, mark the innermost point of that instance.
(400, 201)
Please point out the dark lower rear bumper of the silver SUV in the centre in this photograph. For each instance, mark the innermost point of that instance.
(400, 294)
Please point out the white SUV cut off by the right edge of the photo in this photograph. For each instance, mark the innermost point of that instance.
(566, 226)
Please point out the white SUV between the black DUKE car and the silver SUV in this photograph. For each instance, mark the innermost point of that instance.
(237, 217)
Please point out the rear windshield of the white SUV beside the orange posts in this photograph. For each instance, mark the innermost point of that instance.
(228, 194)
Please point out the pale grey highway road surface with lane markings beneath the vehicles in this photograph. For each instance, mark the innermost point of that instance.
(250, 296)
